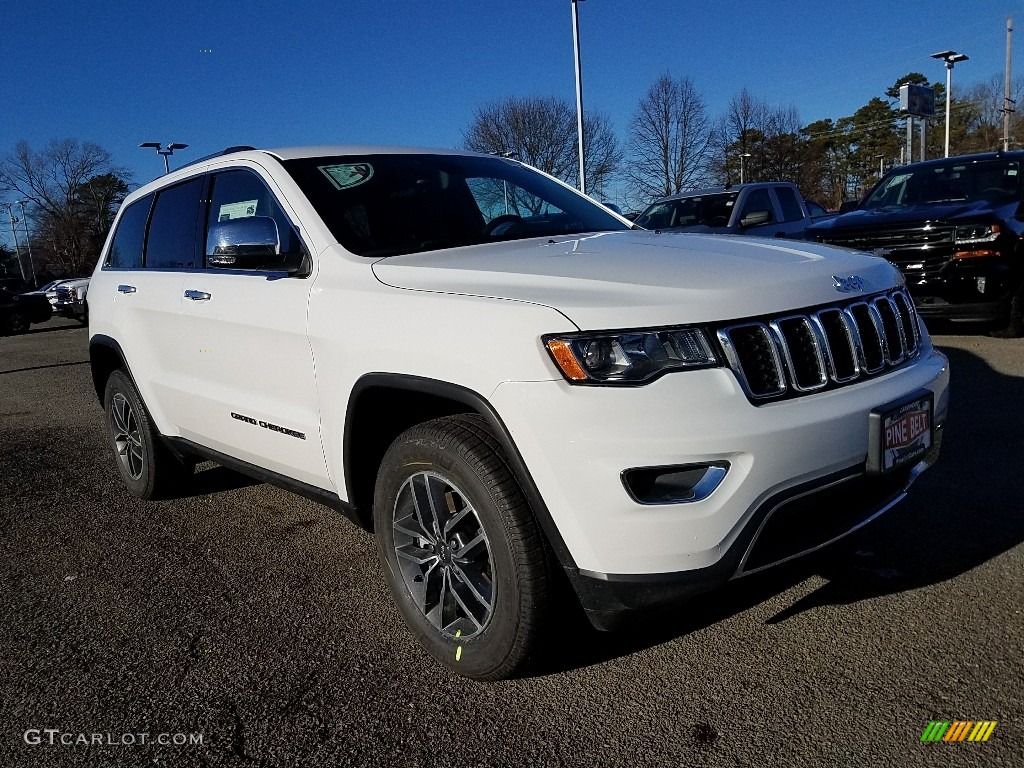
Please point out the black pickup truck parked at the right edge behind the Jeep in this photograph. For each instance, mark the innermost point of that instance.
(955, 228)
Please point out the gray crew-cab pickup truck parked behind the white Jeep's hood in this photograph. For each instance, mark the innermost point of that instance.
(775, 209)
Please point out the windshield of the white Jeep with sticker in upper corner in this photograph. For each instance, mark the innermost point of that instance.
(385, 205)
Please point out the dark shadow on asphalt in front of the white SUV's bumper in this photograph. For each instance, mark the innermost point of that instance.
(962, 514)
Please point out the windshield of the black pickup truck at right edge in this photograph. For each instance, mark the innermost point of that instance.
(998, 182)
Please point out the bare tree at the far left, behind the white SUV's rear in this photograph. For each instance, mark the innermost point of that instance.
(56, 184)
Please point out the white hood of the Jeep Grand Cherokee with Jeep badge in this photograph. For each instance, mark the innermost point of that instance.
(642, 279)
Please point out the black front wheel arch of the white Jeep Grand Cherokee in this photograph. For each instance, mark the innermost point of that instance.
(382, 406)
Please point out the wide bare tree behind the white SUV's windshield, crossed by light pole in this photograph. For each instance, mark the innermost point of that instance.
(542, 132)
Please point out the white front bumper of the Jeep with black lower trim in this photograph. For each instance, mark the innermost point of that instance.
(627, 557)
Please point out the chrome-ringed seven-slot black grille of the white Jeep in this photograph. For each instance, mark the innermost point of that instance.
(822, 349)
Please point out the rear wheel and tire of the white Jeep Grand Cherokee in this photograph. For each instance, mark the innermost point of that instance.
(147, 467)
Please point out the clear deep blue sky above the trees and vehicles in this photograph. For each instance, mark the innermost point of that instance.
(301, 72)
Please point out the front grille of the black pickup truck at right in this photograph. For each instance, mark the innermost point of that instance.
(919, 251)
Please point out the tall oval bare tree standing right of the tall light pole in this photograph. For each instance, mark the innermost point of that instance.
(670, 138)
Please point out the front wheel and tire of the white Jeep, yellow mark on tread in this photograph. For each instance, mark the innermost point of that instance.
(486, 583)
